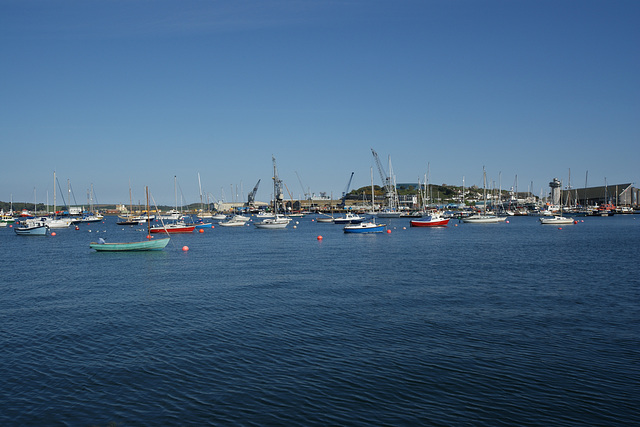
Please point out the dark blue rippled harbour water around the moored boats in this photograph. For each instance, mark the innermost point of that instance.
(513, 324)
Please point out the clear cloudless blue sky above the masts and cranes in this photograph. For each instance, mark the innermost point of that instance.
(140, 91)
